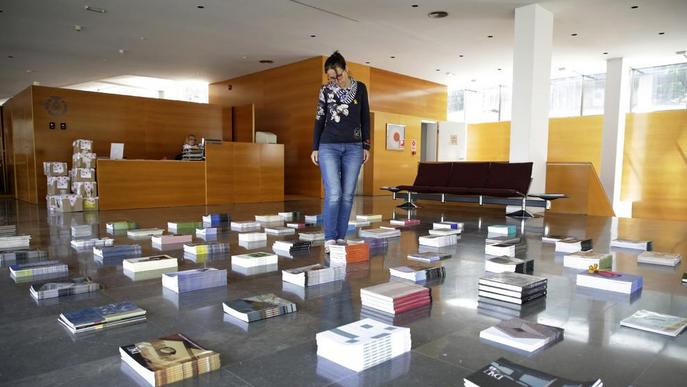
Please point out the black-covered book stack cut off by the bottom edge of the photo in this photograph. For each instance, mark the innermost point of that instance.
(504, 373)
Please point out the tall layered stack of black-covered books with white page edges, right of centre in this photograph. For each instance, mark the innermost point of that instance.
(515, 288)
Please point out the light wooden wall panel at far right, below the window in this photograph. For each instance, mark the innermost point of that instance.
(655, 164)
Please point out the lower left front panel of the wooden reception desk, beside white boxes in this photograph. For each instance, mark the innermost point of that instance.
(150, 183)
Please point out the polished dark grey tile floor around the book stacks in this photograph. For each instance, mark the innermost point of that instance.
(37, 351)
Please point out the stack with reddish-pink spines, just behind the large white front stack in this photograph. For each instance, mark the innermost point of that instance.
(395, 297)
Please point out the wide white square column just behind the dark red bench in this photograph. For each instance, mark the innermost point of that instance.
(529, 131)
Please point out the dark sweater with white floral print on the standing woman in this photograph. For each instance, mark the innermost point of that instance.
(343, 116)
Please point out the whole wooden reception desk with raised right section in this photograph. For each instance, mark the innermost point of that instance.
(232, 172)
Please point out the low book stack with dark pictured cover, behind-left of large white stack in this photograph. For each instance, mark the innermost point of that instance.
(258, 307)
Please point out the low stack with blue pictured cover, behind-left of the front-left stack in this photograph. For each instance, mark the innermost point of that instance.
(102, 317)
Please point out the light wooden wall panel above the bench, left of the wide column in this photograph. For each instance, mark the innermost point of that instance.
(488, 141)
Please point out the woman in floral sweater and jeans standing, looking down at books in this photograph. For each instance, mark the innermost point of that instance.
(341, 143)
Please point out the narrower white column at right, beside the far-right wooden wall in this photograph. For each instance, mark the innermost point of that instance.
(616, 104)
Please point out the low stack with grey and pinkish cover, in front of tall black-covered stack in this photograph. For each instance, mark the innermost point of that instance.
(522, 335)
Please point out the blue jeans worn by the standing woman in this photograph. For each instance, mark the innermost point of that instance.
(339, 165)
